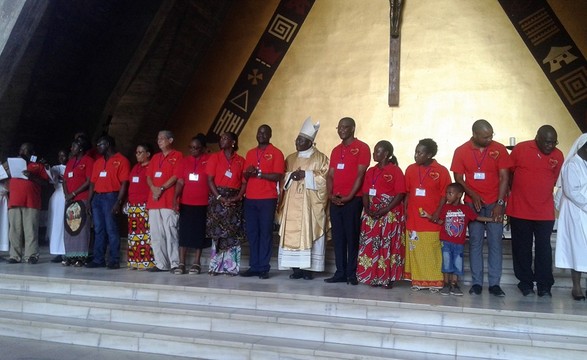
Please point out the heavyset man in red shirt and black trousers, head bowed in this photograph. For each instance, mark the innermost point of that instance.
(536, 166)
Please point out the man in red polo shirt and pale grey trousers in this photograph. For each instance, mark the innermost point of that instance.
(163, 217)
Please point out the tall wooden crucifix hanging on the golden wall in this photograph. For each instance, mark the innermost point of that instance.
(394, 51)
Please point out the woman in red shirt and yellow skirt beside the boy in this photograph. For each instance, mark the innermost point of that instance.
(426, 182)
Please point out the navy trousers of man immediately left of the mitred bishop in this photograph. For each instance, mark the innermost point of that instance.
(259, 214)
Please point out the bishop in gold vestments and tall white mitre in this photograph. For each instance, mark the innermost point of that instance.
(303, 214)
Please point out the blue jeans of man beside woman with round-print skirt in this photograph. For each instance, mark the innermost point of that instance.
(105, 228)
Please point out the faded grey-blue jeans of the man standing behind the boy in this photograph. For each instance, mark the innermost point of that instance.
(494, 243)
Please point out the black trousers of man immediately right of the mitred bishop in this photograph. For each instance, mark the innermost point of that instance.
(346, 226)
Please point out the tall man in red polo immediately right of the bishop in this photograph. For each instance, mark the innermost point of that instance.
(348, 162)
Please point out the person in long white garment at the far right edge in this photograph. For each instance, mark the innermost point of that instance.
(571, 201)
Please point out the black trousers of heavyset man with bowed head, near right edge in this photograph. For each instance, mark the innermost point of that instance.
(526, 233)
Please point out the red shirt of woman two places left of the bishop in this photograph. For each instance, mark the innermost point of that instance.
(218, 166)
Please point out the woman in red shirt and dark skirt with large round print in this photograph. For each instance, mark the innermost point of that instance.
(76, 182)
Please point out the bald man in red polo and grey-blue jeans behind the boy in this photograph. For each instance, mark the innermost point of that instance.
(482, 165)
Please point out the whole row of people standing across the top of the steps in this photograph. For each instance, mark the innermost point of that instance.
(386, 225)
